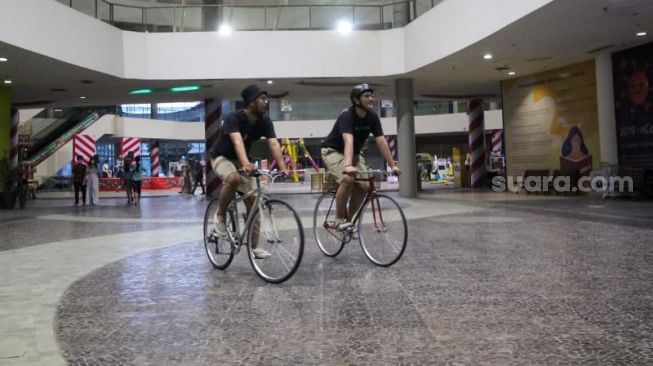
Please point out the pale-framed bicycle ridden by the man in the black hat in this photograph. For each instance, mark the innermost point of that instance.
(283, 235)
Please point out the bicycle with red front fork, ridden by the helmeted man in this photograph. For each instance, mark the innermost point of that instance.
(379, 223)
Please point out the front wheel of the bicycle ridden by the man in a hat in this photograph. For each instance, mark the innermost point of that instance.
(277, 230)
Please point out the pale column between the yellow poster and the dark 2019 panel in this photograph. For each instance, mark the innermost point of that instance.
(605, 104)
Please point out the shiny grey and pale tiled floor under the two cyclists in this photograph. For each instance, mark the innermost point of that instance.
(487, 279)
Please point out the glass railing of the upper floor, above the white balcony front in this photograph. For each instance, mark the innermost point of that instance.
(199, 18)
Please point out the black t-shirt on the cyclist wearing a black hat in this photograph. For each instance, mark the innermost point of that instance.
(238, 122)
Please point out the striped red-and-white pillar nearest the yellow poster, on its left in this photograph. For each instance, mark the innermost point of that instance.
(476, 142)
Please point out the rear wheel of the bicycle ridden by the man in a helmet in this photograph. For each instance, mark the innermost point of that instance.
(329, 240)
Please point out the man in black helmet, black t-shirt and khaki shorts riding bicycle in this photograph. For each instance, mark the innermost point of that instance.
(341, 151)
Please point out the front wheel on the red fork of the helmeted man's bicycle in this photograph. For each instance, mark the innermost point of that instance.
(382, 230)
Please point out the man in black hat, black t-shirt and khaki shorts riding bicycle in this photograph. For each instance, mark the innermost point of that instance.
(239, 131)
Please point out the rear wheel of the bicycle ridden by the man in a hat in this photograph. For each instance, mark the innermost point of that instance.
(220, 252)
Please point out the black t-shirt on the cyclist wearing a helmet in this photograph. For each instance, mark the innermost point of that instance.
(348, 122)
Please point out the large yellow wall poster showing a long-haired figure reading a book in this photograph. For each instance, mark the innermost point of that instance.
(551, 121)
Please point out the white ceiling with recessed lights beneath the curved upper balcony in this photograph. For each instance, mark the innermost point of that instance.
(561, 33)
